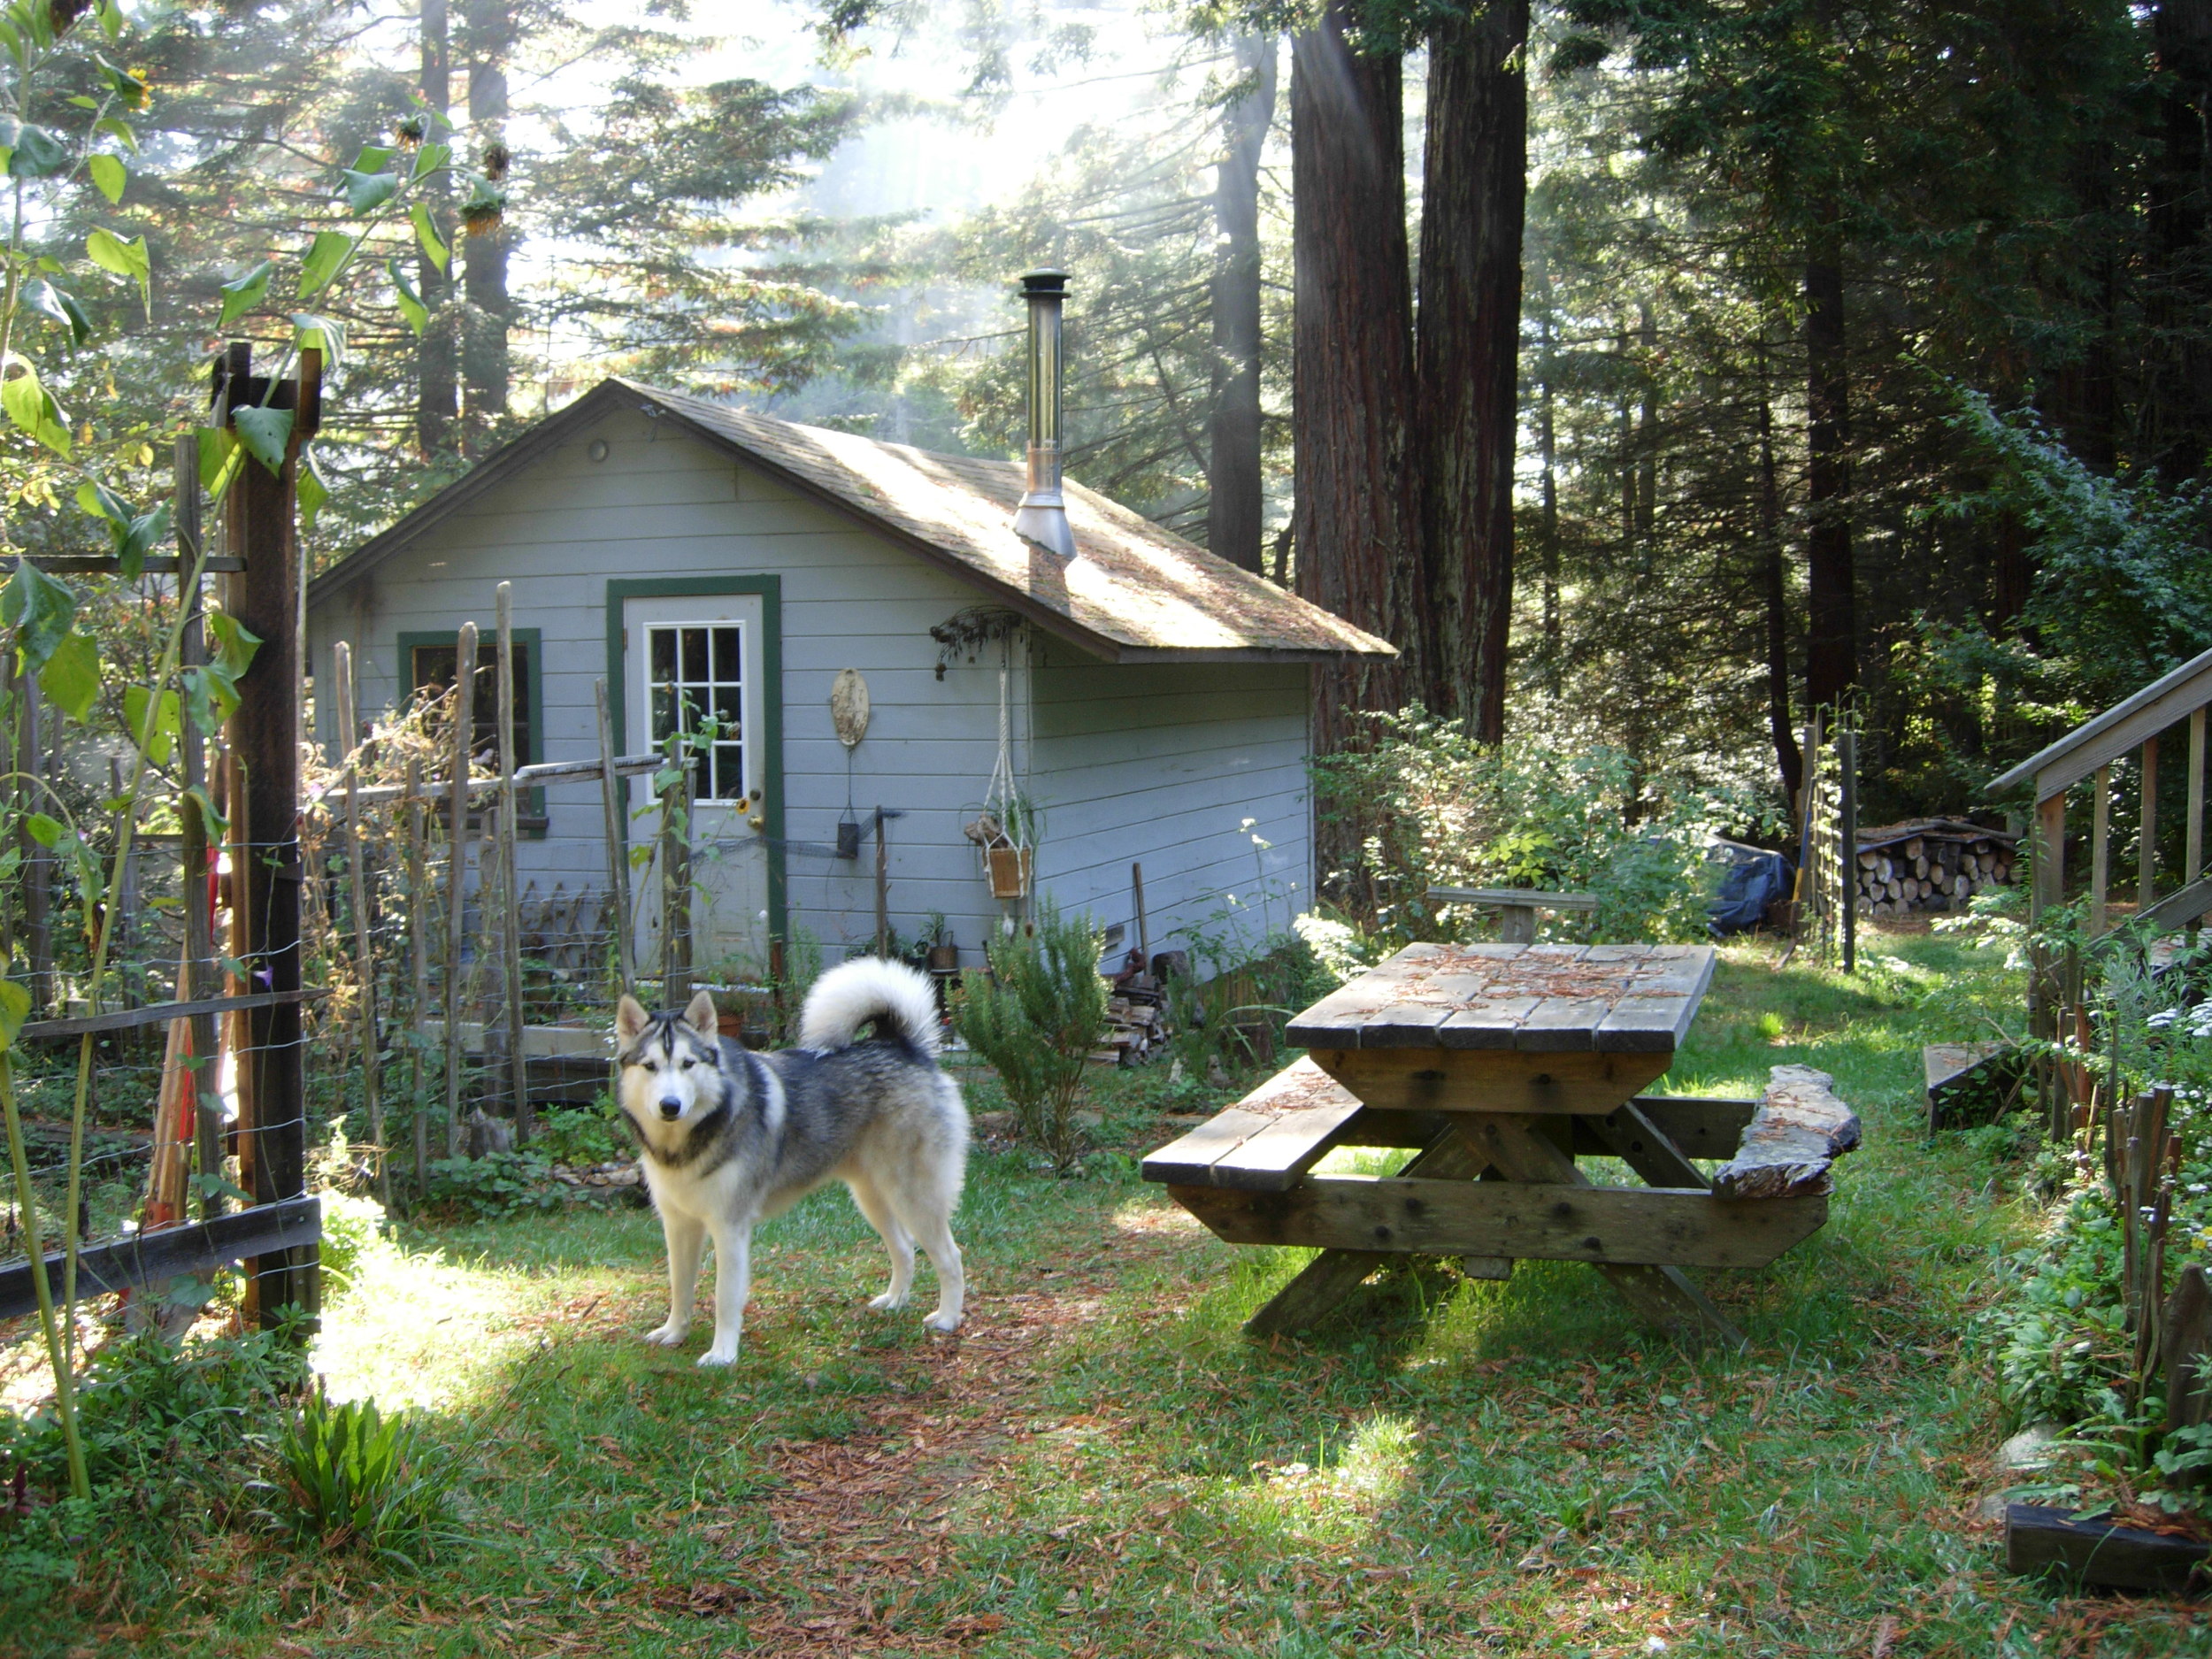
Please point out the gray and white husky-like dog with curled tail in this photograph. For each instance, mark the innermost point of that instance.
(733, 1138)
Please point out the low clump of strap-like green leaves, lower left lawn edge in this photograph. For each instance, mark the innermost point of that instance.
(355, 1477)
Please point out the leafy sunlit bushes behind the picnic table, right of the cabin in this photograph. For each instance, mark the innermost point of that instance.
(1430, 806)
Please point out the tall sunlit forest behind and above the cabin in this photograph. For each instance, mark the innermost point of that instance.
(1649, 371)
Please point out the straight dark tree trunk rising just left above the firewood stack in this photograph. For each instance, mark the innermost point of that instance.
(1830, 647)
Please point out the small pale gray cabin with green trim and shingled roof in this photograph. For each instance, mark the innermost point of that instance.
(1145, 702)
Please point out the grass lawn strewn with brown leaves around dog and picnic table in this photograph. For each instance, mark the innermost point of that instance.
(1105, 1465)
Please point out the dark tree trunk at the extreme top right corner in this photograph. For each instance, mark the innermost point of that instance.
(2178, 415)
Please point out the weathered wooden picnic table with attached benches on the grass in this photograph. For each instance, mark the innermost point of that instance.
(1503, 1065)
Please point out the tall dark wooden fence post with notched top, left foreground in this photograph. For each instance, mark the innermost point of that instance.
(264, 800)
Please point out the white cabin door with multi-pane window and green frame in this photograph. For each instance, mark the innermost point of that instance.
(696, 662)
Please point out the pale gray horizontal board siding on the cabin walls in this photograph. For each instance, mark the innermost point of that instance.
(1156, 764)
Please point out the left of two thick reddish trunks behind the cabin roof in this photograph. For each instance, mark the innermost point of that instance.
(1357, 519)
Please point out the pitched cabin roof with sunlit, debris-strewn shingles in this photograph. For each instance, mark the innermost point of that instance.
(1134, 592)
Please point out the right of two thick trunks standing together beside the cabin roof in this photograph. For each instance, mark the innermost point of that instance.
(1468, 357)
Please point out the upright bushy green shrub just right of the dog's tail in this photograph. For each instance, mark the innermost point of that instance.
(1036, 1019)
